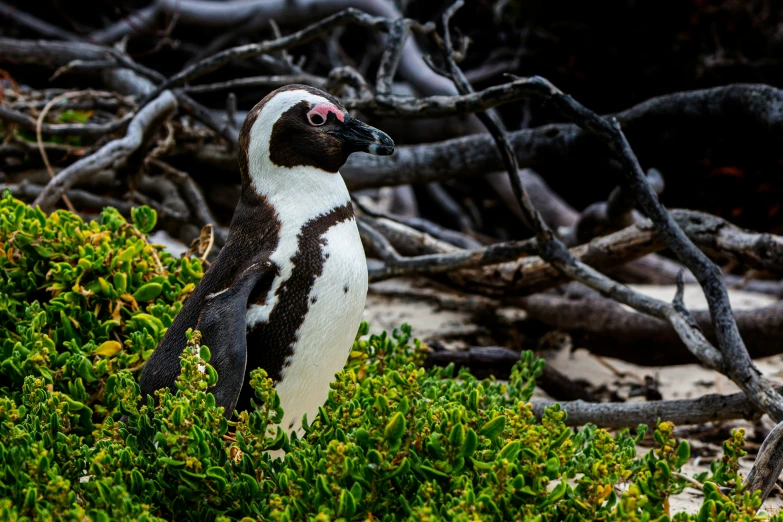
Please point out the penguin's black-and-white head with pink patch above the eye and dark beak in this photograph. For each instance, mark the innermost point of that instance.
(301, 126)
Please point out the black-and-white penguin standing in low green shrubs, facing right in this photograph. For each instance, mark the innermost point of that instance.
(287, 291)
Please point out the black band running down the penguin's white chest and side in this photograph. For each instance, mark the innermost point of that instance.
(270, 344)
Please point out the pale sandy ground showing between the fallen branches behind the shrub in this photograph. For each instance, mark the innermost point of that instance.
(675, 382)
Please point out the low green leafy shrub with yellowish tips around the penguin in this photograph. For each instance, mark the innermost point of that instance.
(83, 305)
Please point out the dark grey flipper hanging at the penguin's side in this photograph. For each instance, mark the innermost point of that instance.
(223, 329)
